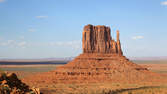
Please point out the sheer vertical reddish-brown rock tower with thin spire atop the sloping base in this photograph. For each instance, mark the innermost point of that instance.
(97, 39)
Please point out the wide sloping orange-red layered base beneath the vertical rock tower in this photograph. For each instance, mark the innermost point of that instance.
(95, 68)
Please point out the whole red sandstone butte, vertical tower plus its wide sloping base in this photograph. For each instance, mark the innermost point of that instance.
(102, 60)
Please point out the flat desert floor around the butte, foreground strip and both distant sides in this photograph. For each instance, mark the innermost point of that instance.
(94, 88)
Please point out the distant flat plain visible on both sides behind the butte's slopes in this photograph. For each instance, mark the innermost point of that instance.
(25, 70)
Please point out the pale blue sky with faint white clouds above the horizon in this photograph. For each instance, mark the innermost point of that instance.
(53, 28)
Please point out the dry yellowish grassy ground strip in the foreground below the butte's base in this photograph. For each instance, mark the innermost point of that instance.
(103, 88)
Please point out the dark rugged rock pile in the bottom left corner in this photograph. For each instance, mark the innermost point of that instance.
(10, 84)
